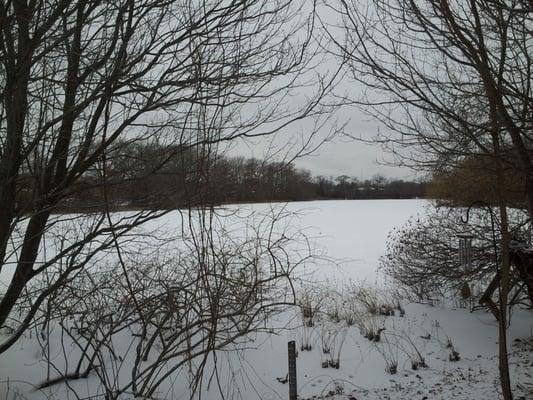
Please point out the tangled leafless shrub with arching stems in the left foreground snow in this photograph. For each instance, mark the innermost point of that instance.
(137, 325)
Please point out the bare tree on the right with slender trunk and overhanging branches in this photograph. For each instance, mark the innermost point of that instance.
(448, 80)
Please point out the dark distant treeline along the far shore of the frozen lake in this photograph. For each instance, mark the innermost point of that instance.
(157, 176)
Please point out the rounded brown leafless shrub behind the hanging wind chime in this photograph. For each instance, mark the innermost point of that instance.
(423, 255)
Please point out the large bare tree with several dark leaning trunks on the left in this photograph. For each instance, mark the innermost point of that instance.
(80, 79)
